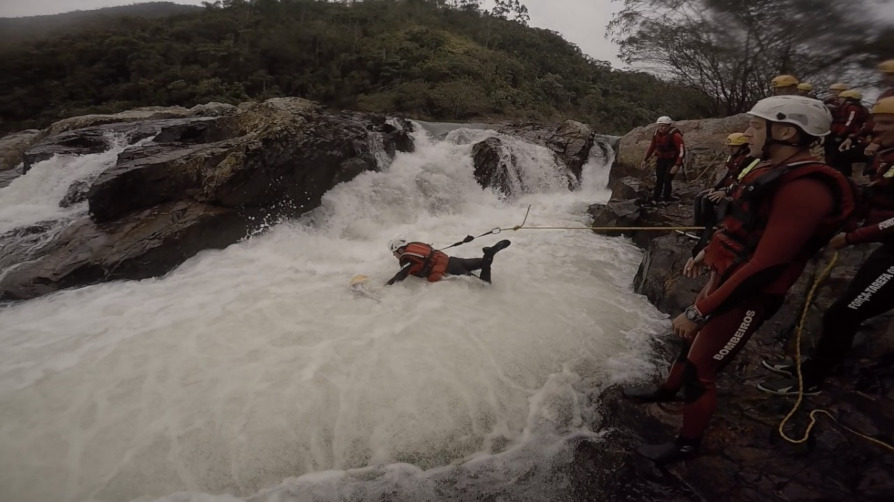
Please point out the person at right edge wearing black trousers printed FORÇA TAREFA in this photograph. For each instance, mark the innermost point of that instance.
(871, 292)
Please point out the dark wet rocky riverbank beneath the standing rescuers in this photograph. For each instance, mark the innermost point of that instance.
(744, 458)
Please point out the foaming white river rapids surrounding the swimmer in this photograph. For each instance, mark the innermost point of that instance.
(256, 373)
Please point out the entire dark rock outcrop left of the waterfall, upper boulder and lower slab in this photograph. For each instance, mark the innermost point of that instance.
(194, 187)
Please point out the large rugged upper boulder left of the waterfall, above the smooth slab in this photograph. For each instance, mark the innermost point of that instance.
(291, 156)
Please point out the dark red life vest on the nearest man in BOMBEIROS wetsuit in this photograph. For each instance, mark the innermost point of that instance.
(745, 218)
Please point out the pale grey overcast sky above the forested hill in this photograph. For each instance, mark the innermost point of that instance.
(581, 22)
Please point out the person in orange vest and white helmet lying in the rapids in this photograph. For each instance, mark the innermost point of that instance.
(422, 260)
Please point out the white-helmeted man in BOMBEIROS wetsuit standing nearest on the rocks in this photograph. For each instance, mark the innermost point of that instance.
(783, 211)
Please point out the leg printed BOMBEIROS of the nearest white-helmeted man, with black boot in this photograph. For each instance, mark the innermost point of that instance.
(718, 342)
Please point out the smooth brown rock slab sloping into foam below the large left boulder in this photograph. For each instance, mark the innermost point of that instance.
(144, 244)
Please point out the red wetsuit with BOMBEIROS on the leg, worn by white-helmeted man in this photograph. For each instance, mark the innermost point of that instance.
(796, 217)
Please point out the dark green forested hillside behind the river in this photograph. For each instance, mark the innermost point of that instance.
(426, 59)
